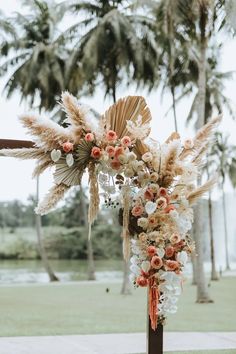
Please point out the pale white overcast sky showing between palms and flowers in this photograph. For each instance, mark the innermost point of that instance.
(15, 176)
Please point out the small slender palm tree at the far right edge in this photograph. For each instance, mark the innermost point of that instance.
(224, 153)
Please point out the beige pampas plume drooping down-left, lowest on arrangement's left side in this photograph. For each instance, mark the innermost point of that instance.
(55, 194)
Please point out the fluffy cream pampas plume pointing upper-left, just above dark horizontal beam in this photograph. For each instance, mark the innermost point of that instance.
(49, 135)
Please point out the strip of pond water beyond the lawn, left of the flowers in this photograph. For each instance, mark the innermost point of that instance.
(32, 271)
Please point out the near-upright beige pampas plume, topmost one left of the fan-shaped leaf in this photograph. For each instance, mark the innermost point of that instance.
(75, 114)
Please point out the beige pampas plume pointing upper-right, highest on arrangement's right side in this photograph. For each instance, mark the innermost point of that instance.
(203, 137)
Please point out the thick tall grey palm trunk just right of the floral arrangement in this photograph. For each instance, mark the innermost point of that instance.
(202, 289)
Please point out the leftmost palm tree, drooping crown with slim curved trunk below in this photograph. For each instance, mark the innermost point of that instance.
(36, 60)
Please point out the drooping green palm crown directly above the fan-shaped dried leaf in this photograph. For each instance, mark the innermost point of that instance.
(115, 41)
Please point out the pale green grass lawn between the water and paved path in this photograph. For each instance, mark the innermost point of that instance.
(84, 308)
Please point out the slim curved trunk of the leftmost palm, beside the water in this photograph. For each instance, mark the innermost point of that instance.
(41, 247)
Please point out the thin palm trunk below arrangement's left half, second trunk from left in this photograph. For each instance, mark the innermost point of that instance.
(90, 258)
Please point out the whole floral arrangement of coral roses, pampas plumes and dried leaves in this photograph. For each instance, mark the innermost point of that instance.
(154, 185)
